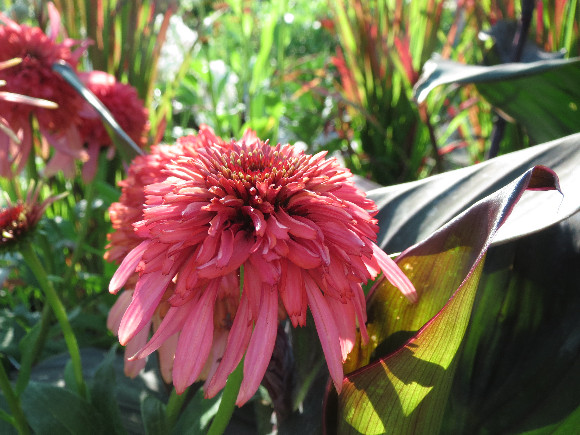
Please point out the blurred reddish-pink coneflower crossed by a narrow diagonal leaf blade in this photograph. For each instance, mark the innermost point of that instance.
(125, 106)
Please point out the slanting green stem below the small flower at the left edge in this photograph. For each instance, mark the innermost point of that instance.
(59, 311)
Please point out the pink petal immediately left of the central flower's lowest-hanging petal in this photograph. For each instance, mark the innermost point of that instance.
(237, 344)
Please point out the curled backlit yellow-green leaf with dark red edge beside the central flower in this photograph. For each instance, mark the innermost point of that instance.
(406, 391)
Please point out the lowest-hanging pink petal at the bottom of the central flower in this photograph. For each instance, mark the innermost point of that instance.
(261, 346)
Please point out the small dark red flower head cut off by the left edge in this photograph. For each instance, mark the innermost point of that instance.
(18, 219)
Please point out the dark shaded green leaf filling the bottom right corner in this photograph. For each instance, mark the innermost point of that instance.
(519, 369)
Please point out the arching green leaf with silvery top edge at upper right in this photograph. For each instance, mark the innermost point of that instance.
(543, 96)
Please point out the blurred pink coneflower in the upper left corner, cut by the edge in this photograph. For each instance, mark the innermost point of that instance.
(35, 78)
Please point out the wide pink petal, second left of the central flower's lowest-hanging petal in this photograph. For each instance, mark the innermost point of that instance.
(195, 340)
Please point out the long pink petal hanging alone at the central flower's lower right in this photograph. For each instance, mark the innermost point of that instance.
(327, 330)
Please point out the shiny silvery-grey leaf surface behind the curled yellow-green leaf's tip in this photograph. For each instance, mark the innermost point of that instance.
(410, 212)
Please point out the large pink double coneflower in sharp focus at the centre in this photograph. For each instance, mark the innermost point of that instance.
(236, 233)
